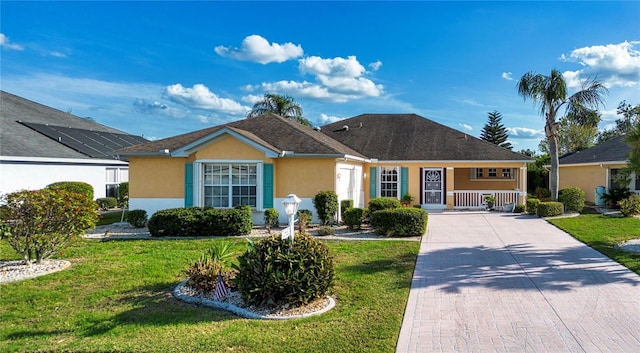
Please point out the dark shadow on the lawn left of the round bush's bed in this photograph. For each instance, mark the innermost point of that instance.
(155, 305)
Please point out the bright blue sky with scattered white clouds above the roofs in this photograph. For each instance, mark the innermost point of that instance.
(159, 69)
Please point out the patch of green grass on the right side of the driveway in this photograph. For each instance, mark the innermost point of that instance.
(603, 233)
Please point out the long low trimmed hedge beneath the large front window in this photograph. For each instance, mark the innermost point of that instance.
(196, 221)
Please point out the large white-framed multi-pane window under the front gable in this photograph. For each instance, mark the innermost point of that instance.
(226, 185)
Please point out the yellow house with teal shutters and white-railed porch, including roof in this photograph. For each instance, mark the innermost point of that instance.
(259, 161)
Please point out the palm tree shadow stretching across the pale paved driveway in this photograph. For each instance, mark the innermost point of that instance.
(520, 267)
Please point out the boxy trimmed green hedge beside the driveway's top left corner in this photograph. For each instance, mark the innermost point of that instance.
(399, 222)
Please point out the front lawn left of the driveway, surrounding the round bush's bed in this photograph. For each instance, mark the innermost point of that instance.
(117, 297)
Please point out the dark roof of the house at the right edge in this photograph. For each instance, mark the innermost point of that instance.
(614, 150)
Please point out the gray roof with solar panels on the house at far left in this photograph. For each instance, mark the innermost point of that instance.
(30, 129)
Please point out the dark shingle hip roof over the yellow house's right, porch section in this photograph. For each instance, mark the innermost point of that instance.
(412, 137)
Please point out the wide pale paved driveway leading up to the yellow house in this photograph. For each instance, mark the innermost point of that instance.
(497, 282)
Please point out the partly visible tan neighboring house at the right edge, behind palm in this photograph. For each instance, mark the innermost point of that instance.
(597, 167)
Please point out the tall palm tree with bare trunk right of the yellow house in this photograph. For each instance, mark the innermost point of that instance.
(550, 92)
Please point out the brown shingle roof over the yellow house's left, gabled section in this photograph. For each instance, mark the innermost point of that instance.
(270, 131)
